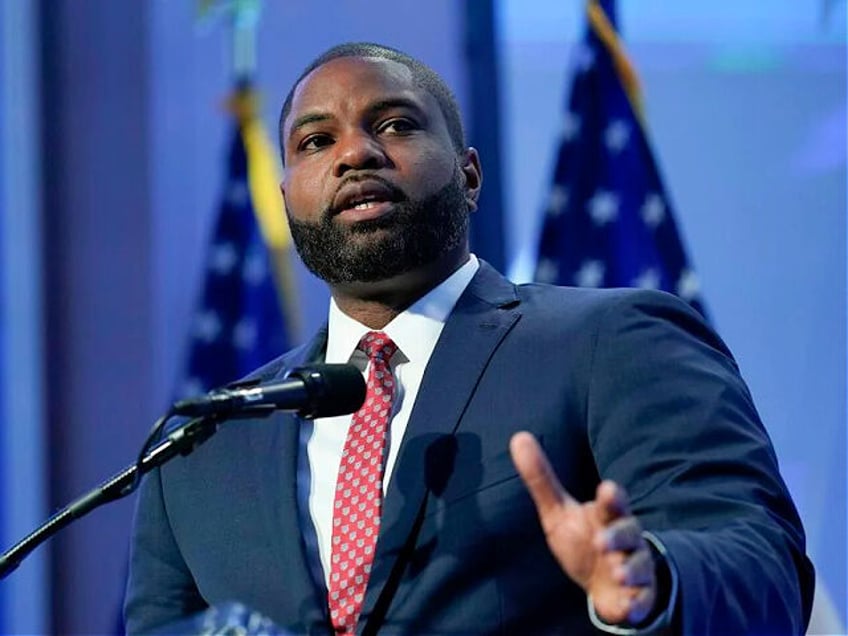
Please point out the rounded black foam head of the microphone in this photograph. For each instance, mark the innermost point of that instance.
(333, 389)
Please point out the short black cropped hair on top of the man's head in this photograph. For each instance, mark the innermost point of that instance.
(422, 75)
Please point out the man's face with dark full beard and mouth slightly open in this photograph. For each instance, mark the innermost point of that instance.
(373, 185)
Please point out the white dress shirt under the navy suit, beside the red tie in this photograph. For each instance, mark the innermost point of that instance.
(415, 332)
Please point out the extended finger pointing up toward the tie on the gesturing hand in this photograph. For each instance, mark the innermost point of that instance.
(536, 472)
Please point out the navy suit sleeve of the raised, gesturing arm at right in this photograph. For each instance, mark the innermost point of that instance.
(670, 419)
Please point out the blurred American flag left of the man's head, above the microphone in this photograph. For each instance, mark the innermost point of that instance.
(239, 324)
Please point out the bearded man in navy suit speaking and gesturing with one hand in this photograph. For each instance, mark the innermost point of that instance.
(493, 410)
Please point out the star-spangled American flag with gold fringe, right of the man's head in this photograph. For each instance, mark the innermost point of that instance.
(608, 220)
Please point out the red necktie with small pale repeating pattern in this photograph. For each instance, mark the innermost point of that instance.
(359, 488)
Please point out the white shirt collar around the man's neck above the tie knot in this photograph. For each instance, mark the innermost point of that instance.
(414, 330)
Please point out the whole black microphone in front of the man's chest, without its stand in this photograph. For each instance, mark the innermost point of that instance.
(320, 390)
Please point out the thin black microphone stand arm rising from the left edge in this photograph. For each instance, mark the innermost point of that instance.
(182, 440)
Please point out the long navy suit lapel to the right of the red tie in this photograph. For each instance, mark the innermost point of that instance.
(484, 314)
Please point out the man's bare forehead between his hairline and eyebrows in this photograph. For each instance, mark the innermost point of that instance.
(348, 82)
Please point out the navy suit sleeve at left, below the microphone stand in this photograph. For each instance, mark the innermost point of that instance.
(160, 589)
